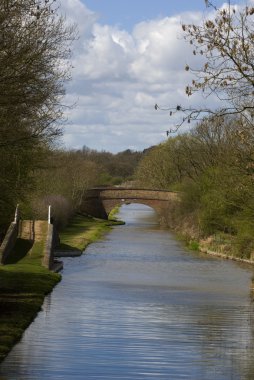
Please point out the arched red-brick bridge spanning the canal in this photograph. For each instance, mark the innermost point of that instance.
(98, 202)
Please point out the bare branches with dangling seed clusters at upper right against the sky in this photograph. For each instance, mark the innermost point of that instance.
(226, 43)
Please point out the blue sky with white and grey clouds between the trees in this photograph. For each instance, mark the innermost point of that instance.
(130, 55)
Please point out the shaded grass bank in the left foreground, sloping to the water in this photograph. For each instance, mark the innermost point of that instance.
(23, 286)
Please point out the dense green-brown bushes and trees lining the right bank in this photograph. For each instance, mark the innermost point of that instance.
(212, 168)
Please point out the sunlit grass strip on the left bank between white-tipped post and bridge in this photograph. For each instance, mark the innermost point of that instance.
(82, 231)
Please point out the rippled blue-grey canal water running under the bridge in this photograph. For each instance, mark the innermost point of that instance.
(137, 305)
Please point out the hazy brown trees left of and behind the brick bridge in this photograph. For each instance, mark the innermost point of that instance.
(67, 175)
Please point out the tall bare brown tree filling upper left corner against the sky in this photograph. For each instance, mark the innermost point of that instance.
(34, 65)
